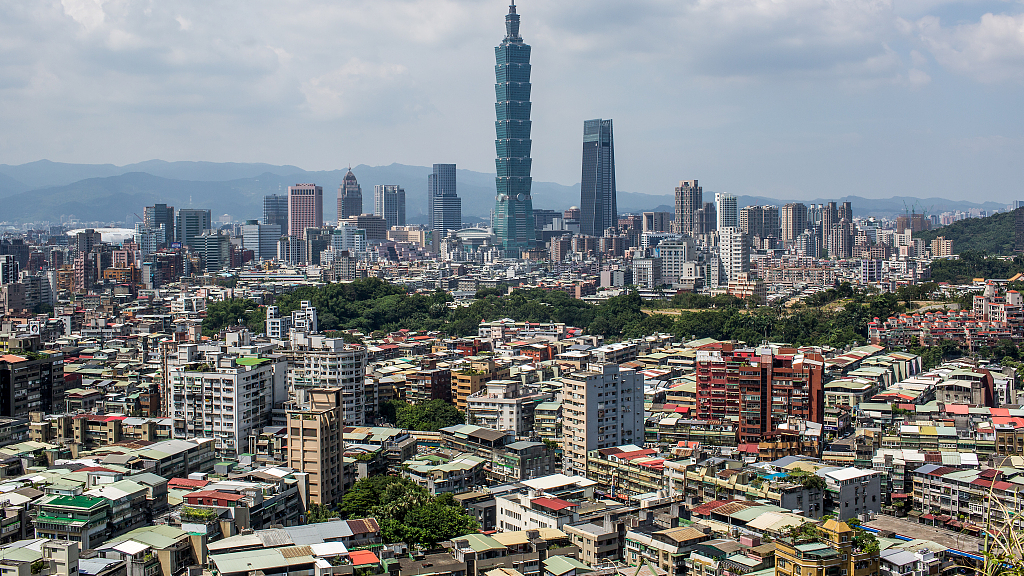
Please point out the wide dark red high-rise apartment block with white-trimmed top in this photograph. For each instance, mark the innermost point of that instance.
(774, 386)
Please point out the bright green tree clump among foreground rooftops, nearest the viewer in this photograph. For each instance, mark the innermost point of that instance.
(406, 511)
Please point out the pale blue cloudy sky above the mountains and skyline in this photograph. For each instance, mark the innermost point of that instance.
(787, 99)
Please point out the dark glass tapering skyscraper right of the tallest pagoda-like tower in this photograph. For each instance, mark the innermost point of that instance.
(599, 210)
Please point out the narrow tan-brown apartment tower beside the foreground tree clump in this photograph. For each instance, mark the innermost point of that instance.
(316, 444)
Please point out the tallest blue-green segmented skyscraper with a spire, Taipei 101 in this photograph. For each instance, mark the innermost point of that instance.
(514, 219)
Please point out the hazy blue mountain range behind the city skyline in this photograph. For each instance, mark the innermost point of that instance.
(47, 191)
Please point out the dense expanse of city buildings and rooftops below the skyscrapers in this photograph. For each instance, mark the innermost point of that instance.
(177, 415)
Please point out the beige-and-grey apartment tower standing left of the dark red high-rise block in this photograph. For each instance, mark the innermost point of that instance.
(604, 408)
